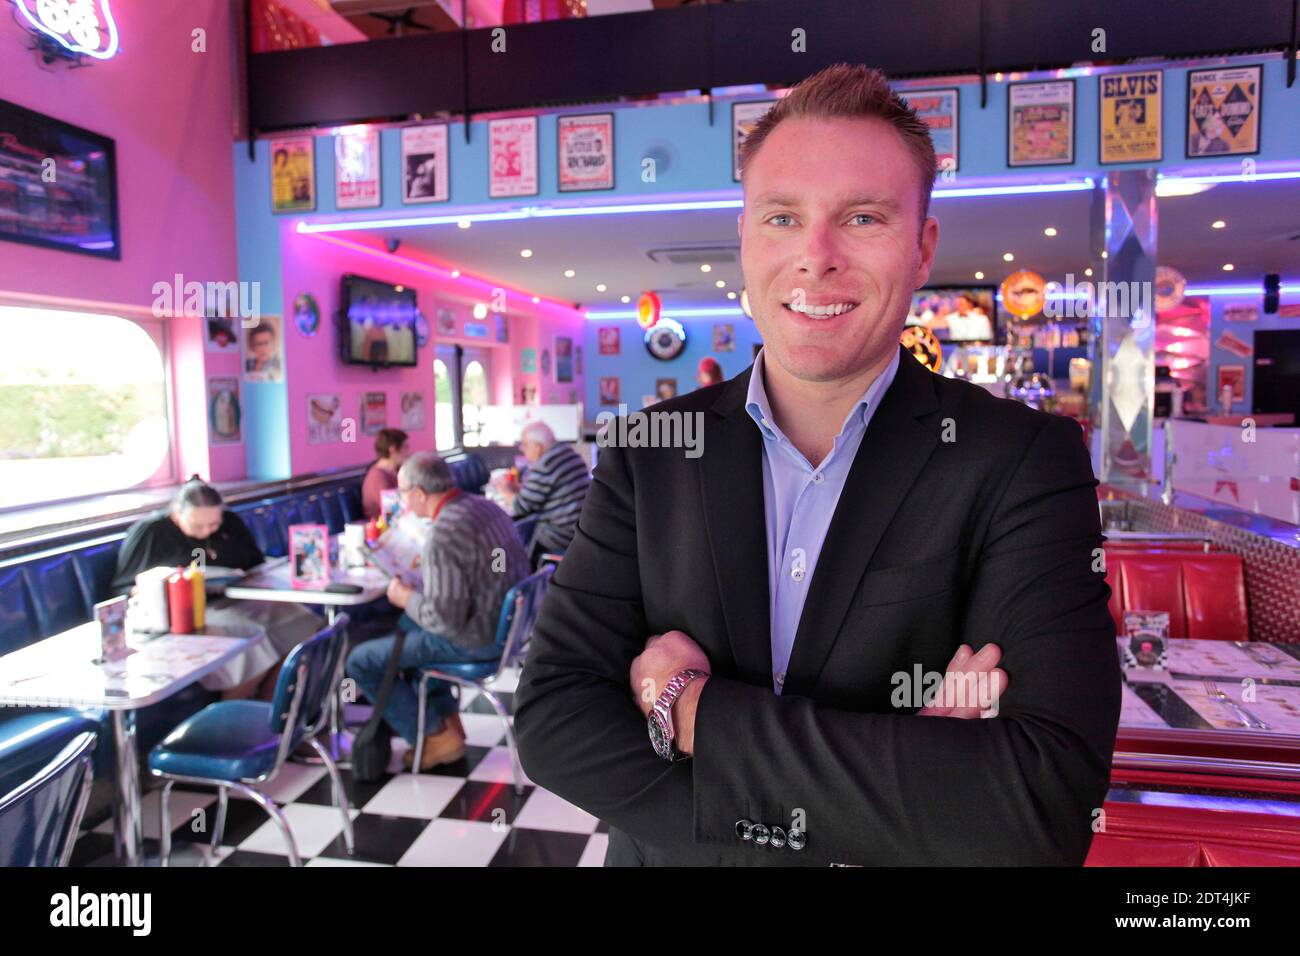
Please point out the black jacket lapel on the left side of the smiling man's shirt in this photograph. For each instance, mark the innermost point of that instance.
(733, 479)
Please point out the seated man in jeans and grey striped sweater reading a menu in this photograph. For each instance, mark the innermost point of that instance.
(473, 559)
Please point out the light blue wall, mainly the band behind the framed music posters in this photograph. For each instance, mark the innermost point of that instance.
(700, 161)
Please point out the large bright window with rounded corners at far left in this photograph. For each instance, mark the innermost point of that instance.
(84, 405)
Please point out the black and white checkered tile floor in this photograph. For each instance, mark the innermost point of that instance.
(460, 815)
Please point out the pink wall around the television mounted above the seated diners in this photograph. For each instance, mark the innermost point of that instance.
(315, 265)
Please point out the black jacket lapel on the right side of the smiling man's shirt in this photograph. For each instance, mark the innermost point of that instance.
(890, 458)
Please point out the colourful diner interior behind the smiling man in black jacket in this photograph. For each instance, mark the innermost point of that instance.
(281, 239)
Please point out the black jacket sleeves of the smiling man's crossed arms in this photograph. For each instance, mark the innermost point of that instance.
(872, 789)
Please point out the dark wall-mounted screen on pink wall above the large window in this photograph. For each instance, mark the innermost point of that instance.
(58, 185)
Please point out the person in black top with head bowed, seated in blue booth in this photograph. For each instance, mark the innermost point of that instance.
(197, 524)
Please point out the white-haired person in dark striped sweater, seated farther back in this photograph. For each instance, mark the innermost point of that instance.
(554, 488)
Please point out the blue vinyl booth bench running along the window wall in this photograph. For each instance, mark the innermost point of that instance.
(53, 591)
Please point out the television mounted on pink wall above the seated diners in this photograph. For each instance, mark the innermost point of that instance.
(378, 323)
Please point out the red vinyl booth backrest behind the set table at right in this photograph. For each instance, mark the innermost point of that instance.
(1203, 592)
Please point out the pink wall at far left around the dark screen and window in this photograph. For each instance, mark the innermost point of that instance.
(175, 179)
